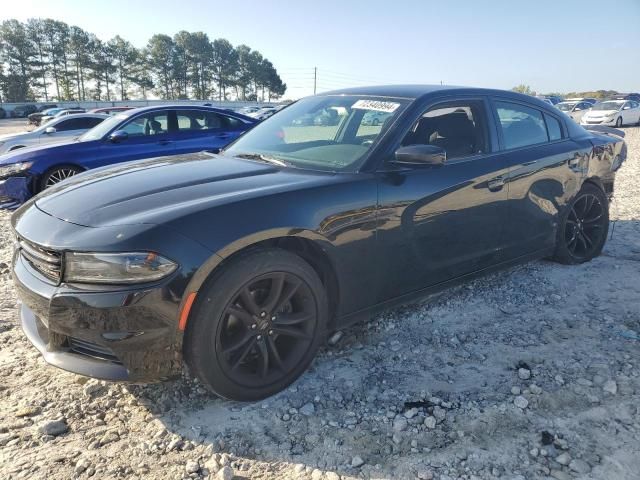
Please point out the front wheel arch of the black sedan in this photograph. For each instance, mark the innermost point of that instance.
(310, 246)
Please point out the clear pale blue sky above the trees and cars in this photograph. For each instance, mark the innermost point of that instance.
(559, 45)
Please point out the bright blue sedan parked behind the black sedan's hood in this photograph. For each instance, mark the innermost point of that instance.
(135, 134)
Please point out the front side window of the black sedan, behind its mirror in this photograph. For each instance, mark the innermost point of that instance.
(458, 128)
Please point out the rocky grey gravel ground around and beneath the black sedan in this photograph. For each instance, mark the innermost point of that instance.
(532, 373)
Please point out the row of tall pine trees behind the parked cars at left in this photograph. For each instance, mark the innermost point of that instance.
(48, 60)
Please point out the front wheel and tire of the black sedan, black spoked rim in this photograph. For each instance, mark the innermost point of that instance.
(257, 325)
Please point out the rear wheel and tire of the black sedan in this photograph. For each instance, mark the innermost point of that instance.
(583, 227)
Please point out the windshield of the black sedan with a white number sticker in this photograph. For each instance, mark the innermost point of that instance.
(331, 133)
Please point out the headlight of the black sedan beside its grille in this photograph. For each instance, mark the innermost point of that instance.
(137, 267)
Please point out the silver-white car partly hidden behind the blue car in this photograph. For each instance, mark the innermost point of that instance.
(58, 130)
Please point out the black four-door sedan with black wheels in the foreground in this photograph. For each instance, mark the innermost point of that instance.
(241, 263)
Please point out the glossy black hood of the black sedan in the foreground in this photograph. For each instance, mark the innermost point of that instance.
(158, 190)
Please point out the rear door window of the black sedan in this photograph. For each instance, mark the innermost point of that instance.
(521, 126)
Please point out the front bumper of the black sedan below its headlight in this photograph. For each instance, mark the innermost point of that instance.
(121, 335)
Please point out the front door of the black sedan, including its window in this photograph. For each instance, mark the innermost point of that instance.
(438, 223)
